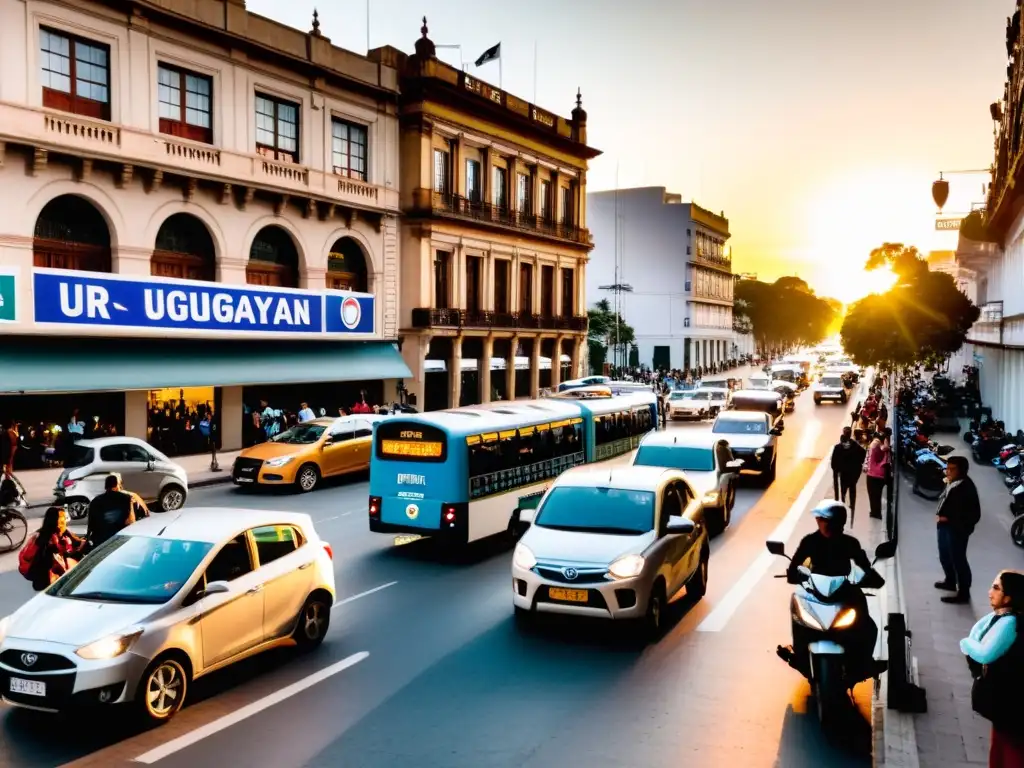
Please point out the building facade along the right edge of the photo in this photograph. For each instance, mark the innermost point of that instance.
(995, 252)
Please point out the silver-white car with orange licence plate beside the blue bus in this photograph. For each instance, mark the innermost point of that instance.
(614, 543)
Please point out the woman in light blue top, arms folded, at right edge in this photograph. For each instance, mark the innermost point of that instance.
(995, 654)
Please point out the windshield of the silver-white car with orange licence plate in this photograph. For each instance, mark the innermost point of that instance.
(594, 510)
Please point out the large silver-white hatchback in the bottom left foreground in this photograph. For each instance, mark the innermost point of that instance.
(166, 602)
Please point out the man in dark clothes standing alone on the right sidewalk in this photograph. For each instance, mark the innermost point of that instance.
(958, 515)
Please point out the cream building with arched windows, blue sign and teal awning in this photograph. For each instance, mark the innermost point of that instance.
(200, 209)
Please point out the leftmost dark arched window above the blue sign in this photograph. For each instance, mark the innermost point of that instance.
(72, 234)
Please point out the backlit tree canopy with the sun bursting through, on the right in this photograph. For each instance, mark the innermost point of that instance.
(924, 318)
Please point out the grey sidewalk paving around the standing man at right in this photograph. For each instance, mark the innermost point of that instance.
(950, 734)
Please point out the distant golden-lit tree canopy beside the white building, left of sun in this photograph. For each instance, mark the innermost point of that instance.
(785, 314)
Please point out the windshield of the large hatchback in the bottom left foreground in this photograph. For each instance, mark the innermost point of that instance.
(133, 570)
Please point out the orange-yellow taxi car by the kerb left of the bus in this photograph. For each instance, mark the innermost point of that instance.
(306, 454)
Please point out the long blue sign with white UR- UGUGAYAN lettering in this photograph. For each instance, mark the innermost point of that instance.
(93, 300)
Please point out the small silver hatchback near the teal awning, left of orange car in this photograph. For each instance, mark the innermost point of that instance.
(144, 471)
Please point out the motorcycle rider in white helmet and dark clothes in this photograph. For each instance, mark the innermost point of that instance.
(829, 551)
